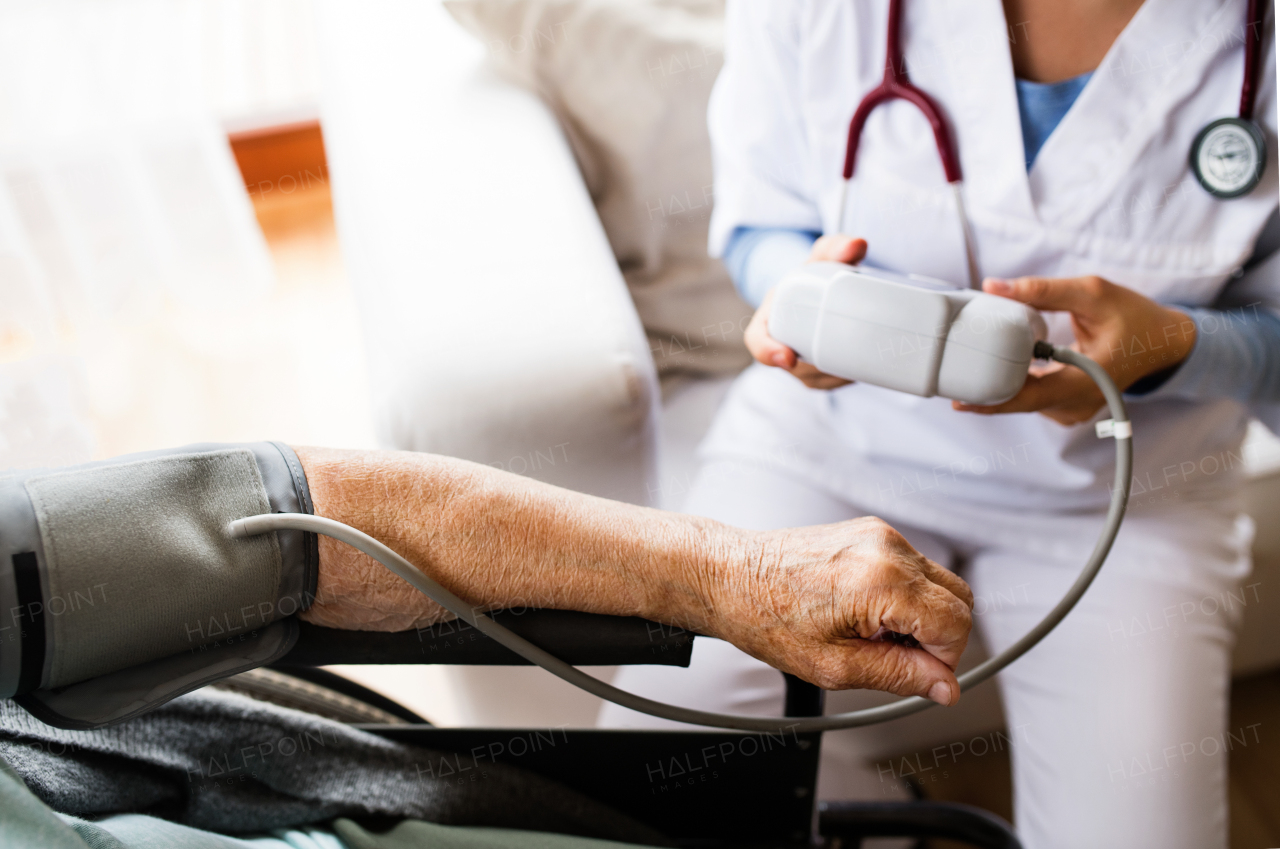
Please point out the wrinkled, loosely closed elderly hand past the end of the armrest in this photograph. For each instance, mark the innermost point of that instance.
(826, 602)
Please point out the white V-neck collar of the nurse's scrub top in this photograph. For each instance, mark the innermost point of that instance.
(1103, 135)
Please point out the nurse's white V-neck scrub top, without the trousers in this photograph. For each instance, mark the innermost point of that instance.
(1110, 194)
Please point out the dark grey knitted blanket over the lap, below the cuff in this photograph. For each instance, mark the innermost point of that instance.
(228, 764)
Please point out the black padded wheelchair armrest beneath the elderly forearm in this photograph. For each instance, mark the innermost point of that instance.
(582, 640)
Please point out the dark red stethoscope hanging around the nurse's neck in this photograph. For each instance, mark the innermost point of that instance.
(1228, 157)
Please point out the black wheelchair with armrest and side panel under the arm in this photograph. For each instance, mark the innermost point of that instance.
(702, 789)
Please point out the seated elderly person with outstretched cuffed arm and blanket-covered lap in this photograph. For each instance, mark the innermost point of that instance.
(173, 604)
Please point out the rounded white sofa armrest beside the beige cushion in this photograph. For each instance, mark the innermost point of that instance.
(496, 318)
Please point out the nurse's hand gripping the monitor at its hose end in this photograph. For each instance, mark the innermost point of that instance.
(1128, 334)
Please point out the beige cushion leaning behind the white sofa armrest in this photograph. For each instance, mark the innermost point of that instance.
(629, 81)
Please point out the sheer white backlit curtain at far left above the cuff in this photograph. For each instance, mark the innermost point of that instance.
(129, 245)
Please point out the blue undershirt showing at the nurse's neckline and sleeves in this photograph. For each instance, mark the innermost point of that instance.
(1237, 353)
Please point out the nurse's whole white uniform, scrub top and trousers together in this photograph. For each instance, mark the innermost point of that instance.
(1121, 716)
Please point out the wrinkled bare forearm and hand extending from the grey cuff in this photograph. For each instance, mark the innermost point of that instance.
(807, 601)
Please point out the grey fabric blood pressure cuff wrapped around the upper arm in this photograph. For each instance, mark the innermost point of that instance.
(120, 588)
